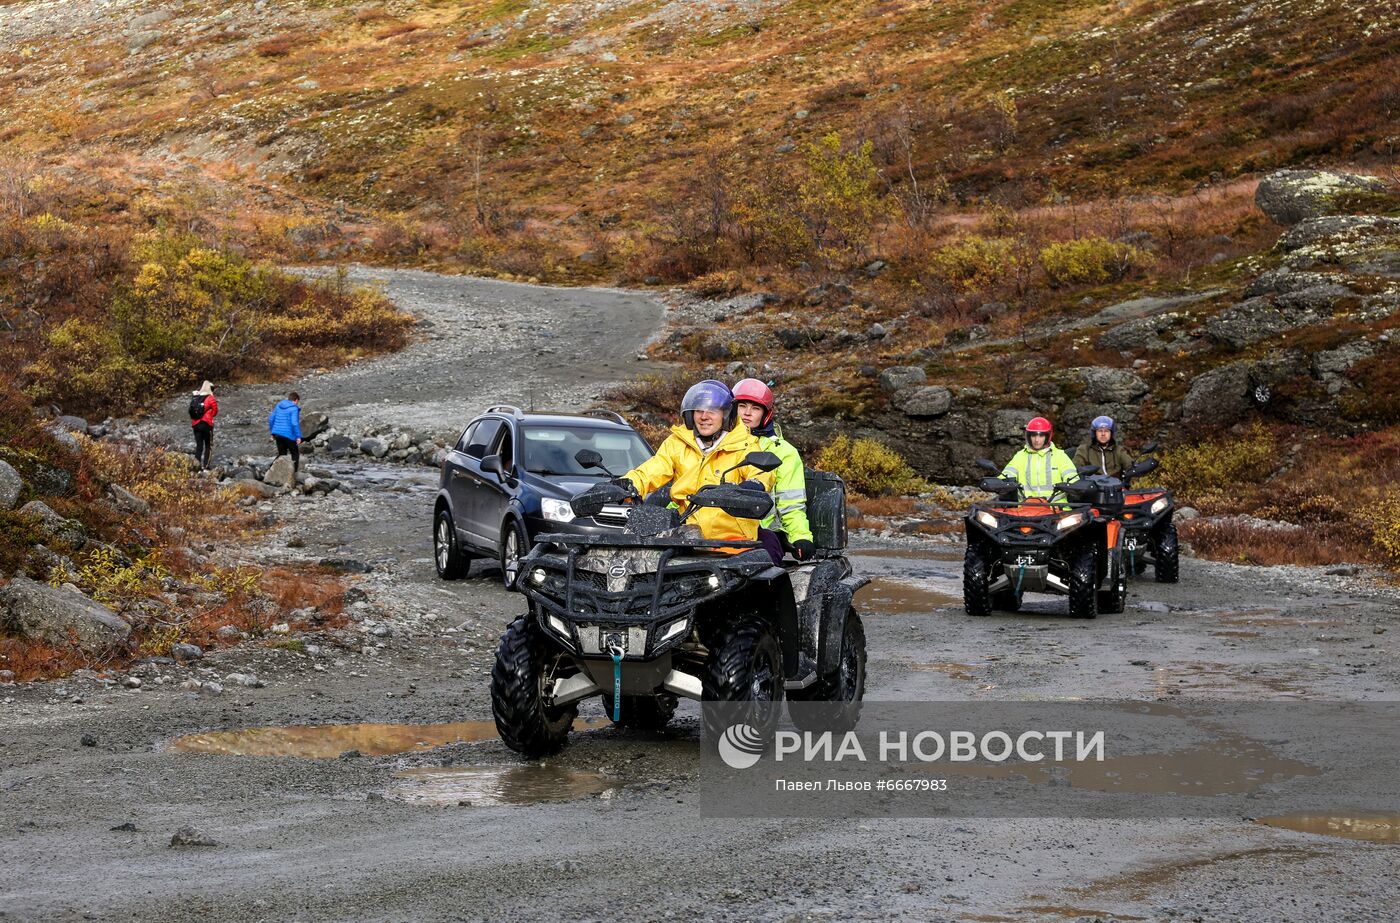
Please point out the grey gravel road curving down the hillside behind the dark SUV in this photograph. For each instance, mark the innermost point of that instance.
(478, 342)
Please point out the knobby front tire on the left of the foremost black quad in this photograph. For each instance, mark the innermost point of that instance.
(524, 722)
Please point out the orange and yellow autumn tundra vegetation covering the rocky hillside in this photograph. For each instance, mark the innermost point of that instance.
(922, 219)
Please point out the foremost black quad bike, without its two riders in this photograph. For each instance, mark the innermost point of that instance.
(657, 611)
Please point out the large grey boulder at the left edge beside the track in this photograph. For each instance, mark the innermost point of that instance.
(61, 617)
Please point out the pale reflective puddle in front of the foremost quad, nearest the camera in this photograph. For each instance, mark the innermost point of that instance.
(488, 786)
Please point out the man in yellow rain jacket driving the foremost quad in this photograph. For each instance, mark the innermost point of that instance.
(698, 453)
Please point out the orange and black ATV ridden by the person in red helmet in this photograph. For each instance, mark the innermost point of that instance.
(1072, 547)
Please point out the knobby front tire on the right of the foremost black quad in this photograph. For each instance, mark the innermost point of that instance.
(745, 666)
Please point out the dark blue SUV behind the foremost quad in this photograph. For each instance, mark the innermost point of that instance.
(510, 478)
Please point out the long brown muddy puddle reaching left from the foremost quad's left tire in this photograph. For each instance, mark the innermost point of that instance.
(328, 742)
